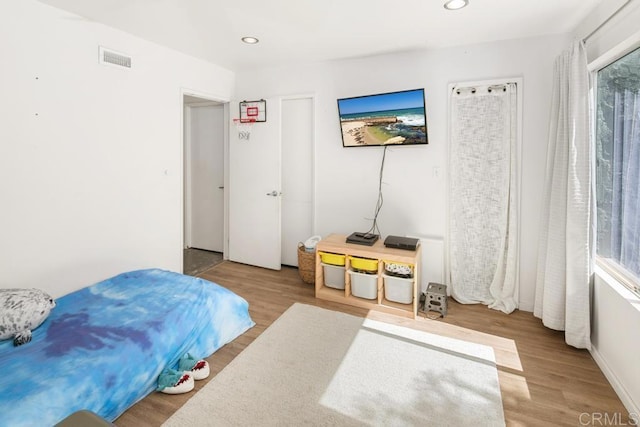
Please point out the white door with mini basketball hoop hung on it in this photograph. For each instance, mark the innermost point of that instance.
(255, 191)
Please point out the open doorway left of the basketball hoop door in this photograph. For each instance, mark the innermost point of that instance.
(204, 183)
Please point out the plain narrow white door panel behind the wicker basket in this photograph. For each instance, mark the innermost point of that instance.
(297, 175)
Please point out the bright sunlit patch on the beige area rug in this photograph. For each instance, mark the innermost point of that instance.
(394, 375)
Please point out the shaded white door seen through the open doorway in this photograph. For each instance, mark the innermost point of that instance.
(206, 160)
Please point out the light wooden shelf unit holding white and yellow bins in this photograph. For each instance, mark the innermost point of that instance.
(336, 243)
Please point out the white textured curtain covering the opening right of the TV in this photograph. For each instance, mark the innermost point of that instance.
(483, 196)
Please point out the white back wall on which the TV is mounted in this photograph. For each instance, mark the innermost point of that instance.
(414, 199)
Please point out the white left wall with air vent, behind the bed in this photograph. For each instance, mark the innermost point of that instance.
(90, 155)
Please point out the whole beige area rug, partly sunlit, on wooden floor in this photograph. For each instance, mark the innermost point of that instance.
(319, 367)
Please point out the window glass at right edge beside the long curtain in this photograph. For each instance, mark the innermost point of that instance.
(618, 167)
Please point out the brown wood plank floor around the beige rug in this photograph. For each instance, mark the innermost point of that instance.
(543, 381)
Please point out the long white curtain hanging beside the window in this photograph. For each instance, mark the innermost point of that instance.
(562, 298)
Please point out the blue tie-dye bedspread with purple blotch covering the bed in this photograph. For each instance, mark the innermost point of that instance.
(103, 347)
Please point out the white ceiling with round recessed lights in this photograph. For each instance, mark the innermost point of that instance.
(318, 30)
